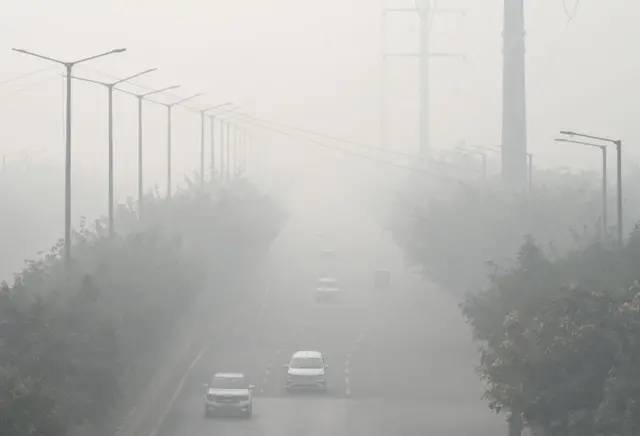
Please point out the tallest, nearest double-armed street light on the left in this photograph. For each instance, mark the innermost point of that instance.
(67, 180)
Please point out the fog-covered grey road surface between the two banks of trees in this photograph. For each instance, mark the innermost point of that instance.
(400, 363)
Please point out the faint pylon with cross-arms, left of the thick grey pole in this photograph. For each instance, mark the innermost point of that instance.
(425, 11)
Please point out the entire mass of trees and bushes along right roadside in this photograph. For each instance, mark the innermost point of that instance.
(555, 307)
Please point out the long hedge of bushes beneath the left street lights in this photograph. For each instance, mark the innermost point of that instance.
(72, 345)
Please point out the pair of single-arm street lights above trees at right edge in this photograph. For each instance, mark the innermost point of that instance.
(568, 135)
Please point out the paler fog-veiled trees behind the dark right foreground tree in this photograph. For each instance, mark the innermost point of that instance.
(453, 231)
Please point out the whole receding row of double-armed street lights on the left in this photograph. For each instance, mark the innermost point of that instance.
(111, 86)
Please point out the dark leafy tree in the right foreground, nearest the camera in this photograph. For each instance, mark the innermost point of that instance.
(560, 340)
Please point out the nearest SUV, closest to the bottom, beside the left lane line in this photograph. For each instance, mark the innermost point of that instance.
(228, 393)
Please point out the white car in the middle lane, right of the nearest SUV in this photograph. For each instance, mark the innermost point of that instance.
(306, 370)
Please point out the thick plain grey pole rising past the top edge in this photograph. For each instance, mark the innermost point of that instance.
(514, 114)
